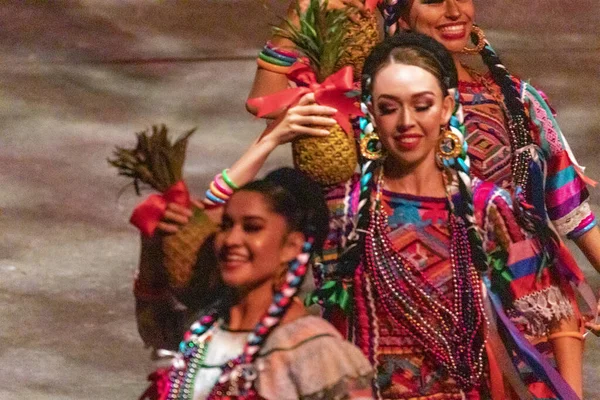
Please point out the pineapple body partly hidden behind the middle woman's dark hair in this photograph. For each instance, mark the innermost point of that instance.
(359, 40)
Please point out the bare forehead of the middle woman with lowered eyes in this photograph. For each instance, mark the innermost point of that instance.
(401, 79)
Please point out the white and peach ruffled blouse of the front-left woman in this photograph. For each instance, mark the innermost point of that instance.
(306, 359)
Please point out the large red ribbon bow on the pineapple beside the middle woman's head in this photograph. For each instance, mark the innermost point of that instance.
(332, 92)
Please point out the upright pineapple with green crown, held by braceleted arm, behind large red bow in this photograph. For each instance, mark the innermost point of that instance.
(320, 37)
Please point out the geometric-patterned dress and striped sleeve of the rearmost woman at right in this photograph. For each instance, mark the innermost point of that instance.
(489, 148)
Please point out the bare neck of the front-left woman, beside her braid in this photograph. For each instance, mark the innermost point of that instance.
(250, 306)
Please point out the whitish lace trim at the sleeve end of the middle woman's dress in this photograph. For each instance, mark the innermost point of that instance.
(535, 311)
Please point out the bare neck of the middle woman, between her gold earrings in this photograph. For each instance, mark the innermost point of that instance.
(424, 179)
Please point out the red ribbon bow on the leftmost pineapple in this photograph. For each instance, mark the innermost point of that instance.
(148, 213)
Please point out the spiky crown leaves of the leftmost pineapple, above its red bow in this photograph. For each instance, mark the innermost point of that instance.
(154, 161)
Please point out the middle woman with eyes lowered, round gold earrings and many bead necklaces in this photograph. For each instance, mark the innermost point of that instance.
(441, 276)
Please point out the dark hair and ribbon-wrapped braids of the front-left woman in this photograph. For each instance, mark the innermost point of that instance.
(298, 199)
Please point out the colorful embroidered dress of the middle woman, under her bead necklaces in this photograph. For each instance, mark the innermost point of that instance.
(419, 230)
